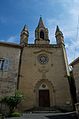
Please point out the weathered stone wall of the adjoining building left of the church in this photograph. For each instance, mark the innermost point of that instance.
(8, 75)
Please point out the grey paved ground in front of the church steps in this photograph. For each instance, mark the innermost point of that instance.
(46, 116)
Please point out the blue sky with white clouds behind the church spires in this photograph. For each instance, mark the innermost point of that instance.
(14, 14)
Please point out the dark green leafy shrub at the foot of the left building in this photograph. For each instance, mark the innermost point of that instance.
(12, 101)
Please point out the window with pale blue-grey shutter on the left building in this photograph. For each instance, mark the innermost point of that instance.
(4, 64)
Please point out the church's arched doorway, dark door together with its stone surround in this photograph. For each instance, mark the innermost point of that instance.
(44, 93)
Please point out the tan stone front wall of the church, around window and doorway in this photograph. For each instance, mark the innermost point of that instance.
(52, 73)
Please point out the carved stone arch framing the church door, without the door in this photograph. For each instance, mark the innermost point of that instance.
(50, 88)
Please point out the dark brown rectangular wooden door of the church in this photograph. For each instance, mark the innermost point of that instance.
(44, 98)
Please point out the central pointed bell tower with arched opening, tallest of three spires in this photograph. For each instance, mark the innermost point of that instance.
(41, 33)
